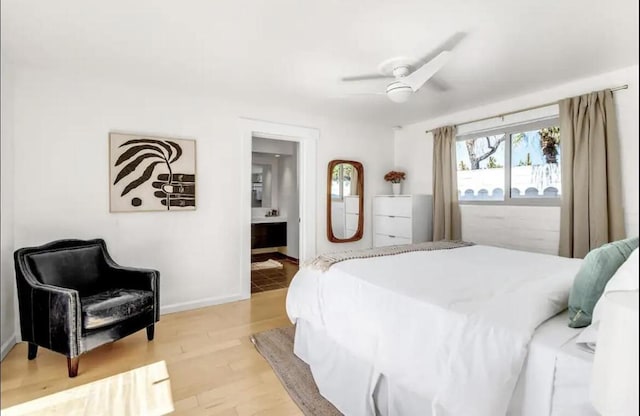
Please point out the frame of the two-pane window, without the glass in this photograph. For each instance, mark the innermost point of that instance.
(508, 131)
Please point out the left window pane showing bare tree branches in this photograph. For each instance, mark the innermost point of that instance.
(480, 166)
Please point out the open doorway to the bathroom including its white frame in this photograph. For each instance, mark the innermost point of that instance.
(282, 245)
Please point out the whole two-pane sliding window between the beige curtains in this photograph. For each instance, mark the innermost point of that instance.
(520, 164)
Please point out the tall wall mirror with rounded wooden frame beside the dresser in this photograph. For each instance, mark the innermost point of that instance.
(345, 201)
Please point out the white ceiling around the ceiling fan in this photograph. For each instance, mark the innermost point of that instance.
(292, 53)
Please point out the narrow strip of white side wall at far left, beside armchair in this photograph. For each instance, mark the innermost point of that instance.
(7, 280)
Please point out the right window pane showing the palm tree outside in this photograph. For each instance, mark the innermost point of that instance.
(535, 163)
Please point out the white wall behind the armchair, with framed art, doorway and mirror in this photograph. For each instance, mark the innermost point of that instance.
(61, 176)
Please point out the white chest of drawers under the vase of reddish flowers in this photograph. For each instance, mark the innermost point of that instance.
(401, 219)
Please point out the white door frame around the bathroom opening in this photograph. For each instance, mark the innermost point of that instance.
(307, 139)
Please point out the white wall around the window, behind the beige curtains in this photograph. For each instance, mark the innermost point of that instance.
(525, 227)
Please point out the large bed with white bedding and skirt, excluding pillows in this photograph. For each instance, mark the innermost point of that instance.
(441, 332)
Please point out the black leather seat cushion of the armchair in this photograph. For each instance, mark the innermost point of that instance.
(113, 306)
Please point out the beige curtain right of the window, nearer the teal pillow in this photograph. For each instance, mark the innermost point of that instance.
(591, 180)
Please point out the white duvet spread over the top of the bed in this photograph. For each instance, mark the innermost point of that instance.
(451, 326)
